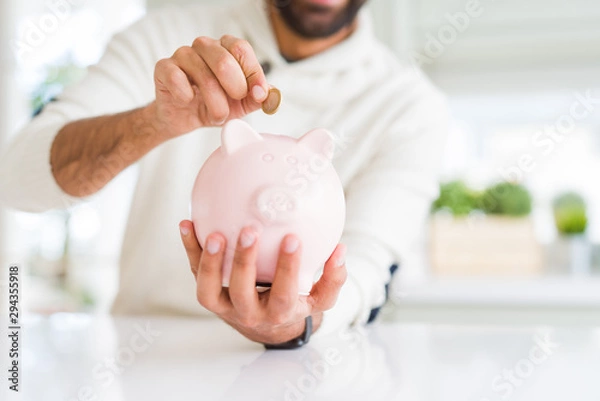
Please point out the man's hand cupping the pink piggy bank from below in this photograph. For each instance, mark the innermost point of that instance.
(270, 317)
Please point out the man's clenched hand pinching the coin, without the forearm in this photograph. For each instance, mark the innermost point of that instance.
(207, 84)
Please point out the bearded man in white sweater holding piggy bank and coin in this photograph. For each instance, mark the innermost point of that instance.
(159, 104)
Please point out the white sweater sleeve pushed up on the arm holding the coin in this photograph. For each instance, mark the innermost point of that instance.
(122, 80)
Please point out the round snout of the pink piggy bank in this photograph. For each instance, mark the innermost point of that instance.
(275, 205)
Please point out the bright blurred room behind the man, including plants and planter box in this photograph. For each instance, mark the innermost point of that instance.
(518, 219)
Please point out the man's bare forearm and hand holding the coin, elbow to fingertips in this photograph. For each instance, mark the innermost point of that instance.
(199, 86)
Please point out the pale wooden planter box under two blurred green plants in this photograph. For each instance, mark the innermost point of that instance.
(484, 246)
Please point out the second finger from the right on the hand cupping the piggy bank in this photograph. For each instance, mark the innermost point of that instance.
(284, 291)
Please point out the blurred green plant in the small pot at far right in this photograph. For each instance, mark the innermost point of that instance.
(570, 216)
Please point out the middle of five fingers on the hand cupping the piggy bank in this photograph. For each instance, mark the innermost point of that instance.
(242, 284)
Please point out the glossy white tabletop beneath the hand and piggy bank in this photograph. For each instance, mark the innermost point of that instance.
(69, 357)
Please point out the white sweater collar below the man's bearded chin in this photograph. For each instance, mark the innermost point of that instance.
(252, 16)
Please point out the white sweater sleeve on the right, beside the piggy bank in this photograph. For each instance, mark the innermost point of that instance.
(387, 205)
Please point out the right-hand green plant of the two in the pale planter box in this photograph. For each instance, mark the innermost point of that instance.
(506, 198)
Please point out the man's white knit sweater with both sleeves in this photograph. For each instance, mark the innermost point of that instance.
(391, 121)
